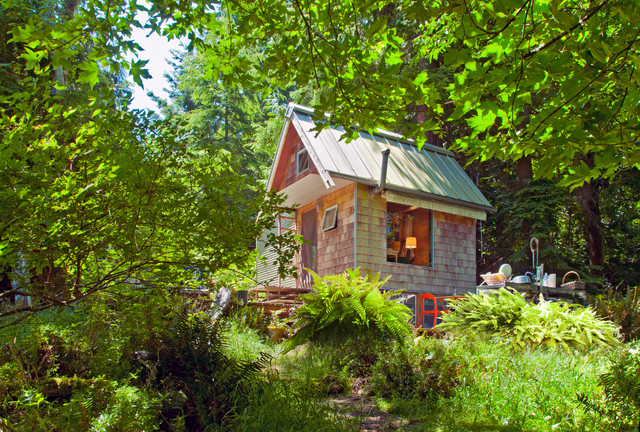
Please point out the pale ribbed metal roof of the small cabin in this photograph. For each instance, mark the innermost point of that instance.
(430, 170)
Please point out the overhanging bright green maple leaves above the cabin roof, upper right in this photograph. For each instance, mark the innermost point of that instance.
(566, 82)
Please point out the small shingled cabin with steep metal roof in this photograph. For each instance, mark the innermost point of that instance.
(378, 203)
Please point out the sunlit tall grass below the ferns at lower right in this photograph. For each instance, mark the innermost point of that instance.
(495, 388)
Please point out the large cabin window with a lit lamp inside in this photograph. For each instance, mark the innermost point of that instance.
(409, 235)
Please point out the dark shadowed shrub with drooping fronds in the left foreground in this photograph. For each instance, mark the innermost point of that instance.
(189, 366)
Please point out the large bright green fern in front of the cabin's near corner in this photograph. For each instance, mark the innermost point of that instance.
(349, 308)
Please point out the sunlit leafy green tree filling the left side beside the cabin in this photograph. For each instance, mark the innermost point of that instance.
(93, 196)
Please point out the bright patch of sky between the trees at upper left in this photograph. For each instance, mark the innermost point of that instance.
(156, 49)
